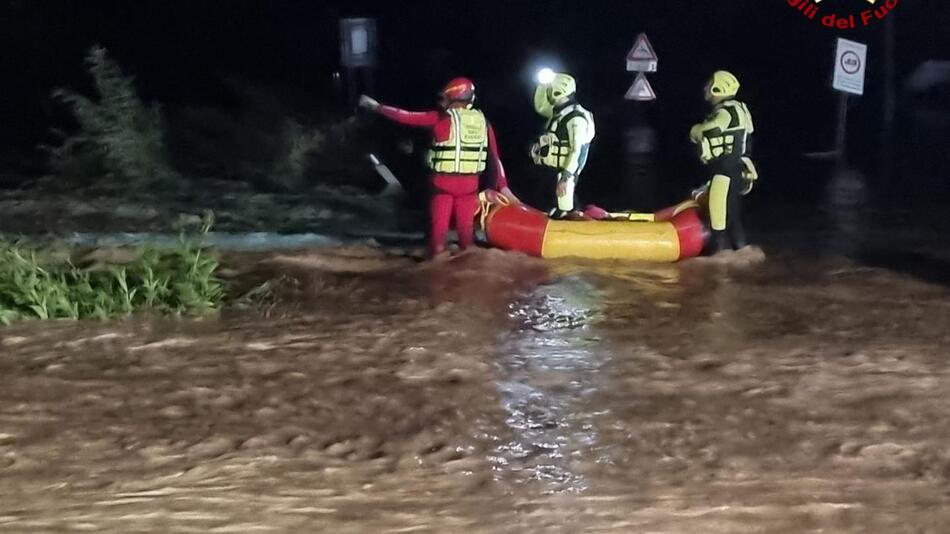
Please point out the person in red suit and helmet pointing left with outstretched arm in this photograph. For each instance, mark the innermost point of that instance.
(463, 142)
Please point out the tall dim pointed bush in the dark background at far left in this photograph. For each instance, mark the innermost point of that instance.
(119, 136)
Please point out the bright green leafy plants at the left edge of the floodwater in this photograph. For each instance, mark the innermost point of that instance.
(37, 284)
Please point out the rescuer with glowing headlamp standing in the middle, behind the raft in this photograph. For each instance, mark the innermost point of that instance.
(565, 143)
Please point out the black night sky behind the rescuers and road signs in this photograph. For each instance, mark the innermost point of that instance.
(180, 51)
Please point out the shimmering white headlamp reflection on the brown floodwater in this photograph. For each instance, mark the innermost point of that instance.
(548, 369)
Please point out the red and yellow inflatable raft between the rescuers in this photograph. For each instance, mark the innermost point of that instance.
(670, 235)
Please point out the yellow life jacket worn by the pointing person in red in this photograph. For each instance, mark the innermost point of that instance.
(466, 149)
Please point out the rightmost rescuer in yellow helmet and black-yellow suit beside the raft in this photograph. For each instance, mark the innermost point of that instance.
(724, 144)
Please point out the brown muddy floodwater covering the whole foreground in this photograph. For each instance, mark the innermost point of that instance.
(494, 393)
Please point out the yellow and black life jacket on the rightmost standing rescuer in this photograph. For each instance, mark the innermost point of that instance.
(720, 138)
